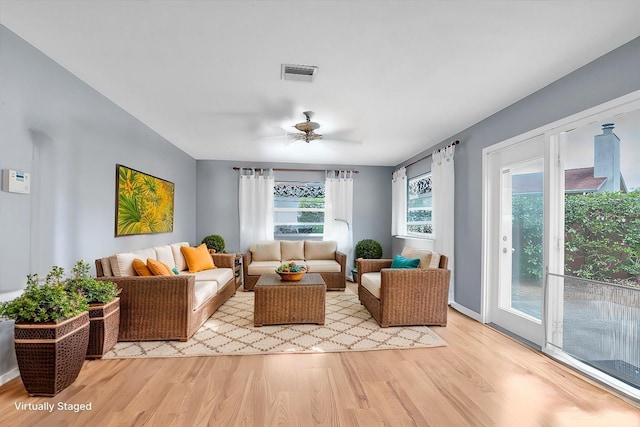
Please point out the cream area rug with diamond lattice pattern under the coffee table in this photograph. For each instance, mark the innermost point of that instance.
(230, 331)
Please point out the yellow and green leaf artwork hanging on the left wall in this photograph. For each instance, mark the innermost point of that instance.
(144, 203)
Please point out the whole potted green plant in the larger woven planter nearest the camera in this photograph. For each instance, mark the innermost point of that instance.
(51, 333)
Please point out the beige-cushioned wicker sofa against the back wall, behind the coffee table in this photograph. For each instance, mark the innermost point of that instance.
(316, 256)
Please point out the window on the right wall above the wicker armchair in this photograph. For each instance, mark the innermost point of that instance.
(419, 206)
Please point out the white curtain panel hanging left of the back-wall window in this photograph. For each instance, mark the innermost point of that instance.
(256, 206)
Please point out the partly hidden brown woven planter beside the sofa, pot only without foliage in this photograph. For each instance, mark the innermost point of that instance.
(105, 322)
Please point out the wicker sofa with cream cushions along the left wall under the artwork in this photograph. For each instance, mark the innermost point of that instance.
(166, 307)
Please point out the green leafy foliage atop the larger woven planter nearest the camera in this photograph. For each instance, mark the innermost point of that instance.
(47, 302)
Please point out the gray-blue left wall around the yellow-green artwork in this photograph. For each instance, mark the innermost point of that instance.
(69, 137)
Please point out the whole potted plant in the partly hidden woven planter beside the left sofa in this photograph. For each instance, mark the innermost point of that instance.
(104, 309)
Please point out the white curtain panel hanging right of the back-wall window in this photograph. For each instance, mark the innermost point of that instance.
(338, 212)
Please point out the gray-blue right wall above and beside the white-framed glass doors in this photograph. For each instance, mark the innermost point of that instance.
(611, 76)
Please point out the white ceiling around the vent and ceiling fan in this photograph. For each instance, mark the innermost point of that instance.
(396, 76)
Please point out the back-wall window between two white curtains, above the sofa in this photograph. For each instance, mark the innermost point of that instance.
(298, 210)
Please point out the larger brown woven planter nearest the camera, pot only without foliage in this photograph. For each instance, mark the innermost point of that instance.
(50, 355)
